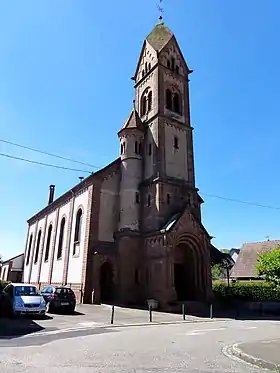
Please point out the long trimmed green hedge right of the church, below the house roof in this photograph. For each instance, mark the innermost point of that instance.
(261, 291)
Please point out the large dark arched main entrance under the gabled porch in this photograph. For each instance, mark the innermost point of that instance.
(188, 271)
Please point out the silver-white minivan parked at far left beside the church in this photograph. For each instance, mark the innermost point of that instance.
(23, 299)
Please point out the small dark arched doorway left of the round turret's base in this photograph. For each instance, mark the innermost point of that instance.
(106, 282)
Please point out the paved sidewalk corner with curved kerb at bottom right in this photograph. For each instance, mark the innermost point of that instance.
(265, 354)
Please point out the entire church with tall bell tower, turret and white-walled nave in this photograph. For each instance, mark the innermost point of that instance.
(132, 231)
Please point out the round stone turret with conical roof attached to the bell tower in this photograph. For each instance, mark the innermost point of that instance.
(131, 143)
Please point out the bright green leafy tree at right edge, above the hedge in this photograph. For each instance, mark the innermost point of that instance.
(268, 266)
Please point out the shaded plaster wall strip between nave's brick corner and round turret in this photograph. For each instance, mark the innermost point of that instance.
(108, 215)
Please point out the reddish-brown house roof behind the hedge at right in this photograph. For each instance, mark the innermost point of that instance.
(247, 258)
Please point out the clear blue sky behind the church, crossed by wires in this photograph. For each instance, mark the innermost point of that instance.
(65, 88)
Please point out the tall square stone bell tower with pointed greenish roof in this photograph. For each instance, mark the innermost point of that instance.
(162, 102)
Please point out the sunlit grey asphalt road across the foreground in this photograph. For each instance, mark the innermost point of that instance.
(189, 347)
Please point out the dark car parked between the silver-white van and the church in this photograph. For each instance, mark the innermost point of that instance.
(59, 298)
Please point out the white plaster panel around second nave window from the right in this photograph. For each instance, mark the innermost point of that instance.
(58, 264)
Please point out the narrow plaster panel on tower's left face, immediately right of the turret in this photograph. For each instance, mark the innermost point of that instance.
(151, 137)
